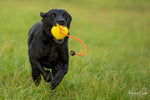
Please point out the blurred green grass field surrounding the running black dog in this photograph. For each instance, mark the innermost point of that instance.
(117, 63)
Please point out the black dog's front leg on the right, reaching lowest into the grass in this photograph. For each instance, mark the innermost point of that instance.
(58, 72)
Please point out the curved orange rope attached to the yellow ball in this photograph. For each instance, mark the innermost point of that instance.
(72, 52)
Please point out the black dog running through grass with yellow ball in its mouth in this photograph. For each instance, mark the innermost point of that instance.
(47, 52)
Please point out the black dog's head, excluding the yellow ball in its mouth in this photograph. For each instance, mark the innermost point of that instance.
(54, 16)
